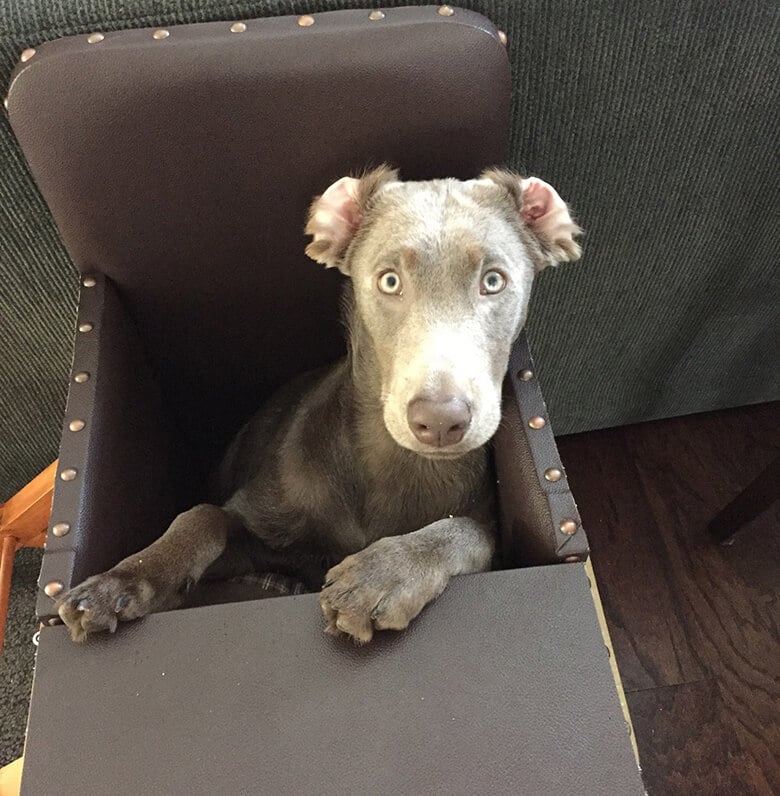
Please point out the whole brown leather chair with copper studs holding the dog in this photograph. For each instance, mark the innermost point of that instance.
(178, 165)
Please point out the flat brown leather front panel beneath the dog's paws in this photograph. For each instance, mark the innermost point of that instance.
(502, 686)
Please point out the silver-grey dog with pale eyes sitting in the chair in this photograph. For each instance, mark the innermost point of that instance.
(374, 473)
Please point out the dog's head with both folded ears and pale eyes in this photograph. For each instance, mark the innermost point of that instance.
(442, 273)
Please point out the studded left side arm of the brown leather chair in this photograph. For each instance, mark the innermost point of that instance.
(119, 478)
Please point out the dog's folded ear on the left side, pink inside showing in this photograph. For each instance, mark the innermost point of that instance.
(336, 216)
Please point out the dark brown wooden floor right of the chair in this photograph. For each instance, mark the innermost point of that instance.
(694, 624)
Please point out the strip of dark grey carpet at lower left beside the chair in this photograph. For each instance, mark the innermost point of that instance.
(18, 658)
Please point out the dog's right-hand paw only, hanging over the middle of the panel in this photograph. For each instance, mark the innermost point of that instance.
(382, 587)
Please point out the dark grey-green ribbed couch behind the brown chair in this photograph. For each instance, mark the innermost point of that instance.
(656, 120)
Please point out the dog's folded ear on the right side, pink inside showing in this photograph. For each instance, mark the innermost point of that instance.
(544, 213)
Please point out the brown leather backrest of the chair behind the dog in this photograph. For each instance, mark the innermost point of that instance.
(182, 168)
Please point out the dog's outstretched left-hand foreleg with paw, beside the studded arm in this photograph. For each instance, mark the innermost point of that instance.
(151, 580)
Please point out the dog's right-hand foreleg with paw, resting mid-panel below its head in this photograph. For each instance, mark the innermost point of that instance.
(386, 585)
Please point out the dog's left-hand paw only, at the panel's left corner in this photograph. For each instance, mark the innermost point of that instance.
(102, 601)
